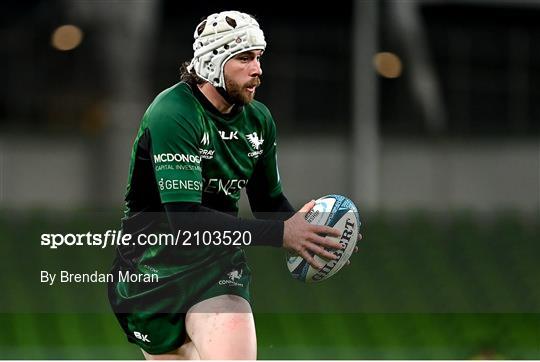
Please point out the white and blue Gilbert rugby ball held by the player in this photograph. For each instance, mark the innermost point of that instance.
(338, 212)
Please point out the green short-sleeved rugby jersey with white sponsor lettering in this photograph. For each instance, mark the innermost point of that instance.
(186, 151)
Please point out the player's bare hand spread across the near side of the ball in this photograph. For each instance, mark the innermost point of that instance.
(303, 238)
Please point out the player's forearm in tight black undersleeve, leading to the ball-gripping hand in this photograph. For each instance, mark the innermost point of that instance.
(194, 217)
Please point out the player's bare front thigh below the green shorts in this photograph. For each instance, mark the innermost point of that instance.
(222, 327)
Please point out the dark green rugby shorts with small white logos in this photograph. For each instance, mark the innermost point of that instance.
(152, 315)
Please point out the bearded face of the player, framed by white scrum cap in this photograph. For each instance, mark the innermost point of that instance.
(242, 76)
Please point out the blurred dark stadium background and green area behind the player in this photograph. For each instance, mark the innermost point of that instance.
(424, 112)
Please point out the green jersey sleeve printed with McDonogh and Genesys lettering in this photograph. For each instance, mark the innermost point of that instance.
(175, 156)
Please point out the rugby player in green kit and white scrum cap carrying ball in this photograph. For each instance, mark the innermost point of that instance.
(199, 143)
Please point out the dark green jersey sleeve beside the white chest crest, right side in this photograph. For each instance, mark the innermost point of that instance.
(265, 179)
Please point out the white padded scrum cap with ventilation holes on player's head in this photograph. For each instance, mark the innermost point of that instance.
(220, 37)
